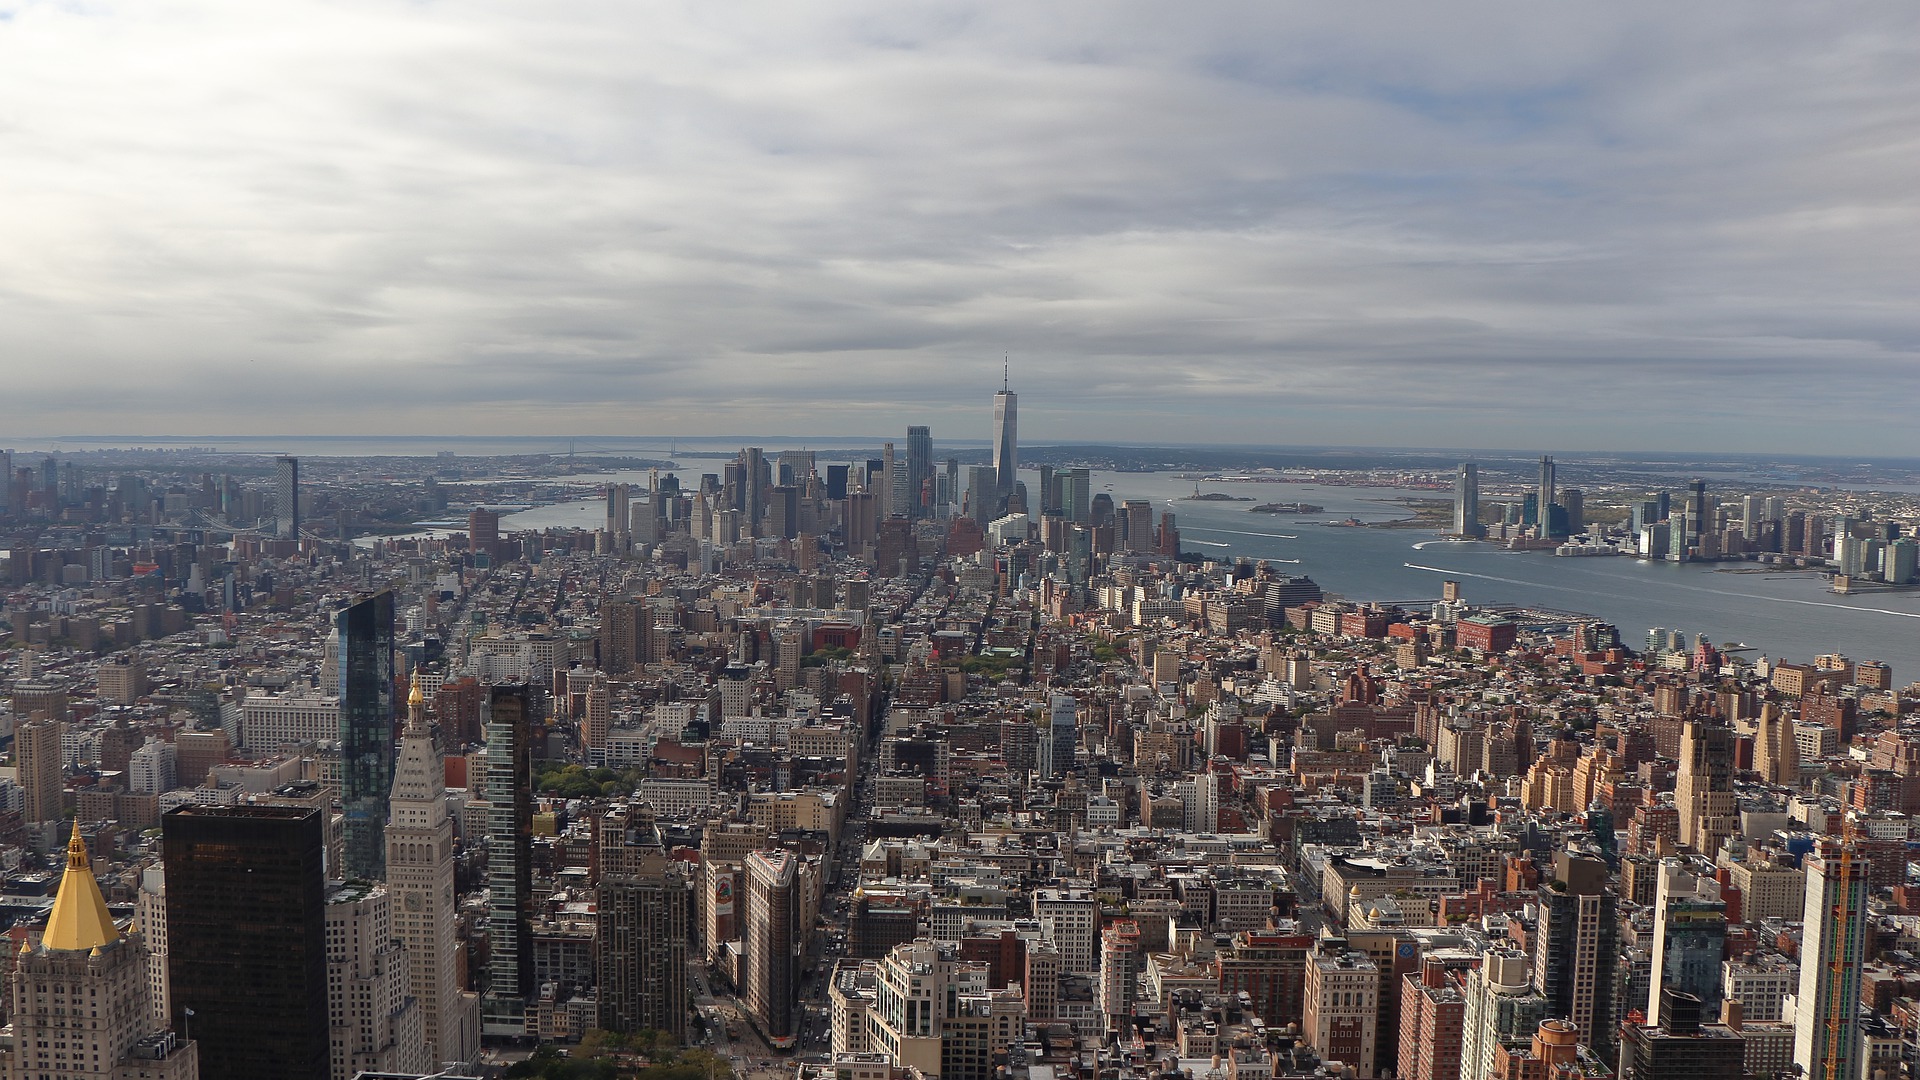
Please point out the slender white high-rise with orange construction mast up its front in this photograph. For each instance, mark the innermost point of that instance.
(1827, 1014)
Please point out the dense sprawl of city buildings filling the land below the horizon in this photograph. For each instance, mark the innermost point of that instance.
(892, 766)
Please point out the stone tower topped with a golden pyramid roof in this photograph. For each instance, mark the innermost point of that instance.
(85, 966)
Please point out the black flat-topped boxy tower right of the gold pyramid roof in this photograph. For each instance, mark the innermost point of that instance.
(247, 939)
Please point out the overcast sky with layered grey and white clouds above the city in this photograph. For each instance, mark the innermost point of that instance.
(1560, 226)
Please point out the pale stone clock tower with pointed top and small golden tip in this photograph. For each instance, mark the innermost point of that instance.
(420, 873)
